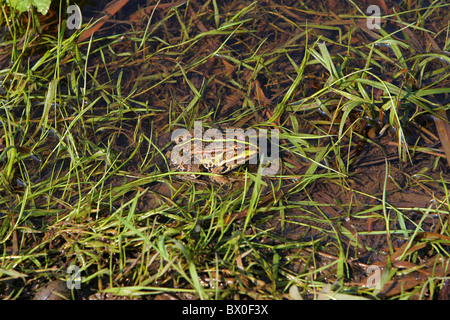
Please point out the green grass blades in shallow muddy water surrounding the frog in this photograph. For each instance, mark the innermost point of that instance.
(85, 127)
